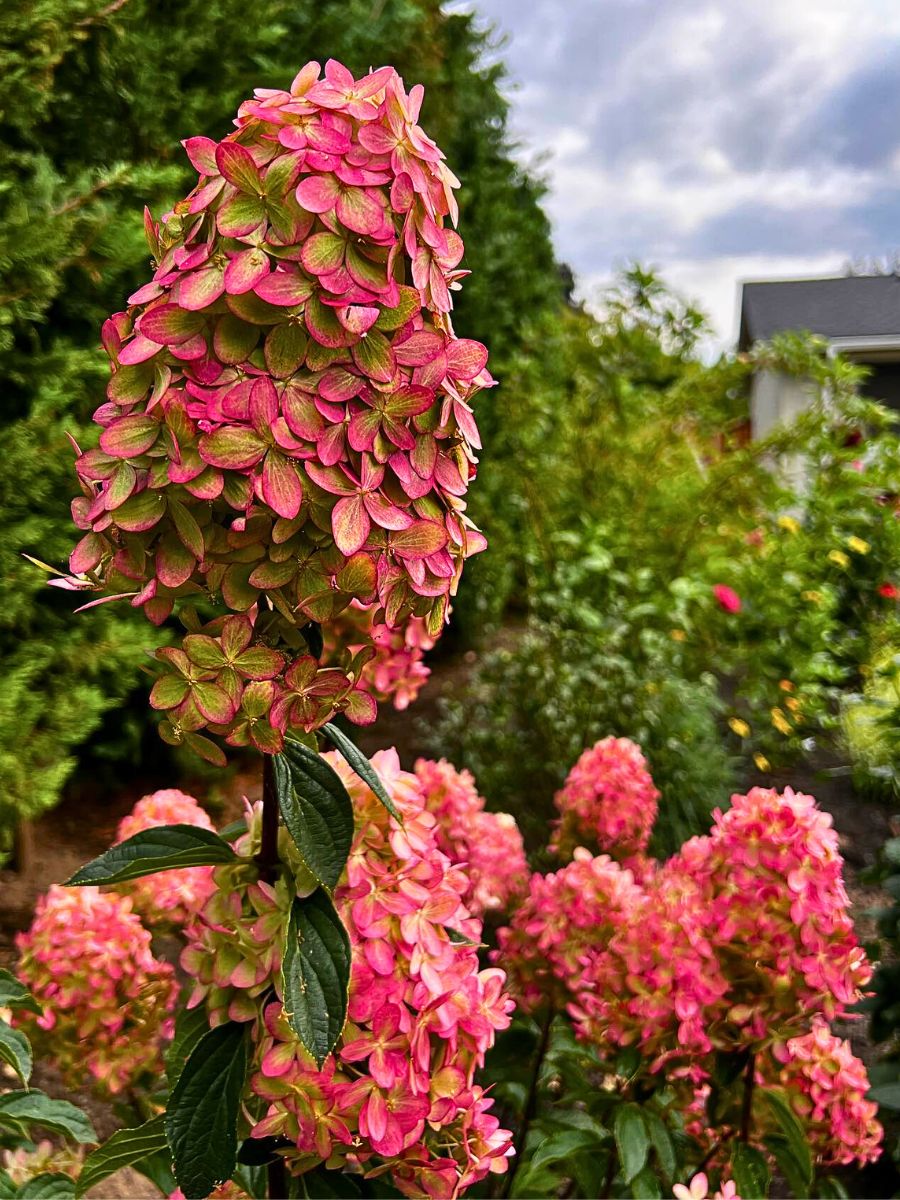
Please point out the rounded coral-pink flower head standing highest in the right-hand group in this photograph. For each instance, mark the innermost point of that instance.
(609, 802)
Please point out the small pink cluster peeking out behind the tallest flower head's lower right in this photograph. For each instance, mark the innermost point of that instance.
(397, 670)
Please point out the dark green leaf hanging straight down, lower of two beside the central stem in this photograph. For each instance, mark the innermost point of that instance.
(316, 974)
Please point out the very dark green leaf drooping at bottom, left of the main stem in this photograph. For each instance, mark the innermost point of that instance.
(202, 1118)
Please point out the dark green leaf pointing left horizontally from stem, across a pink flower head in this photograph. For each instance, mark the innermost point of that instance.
(161, 849)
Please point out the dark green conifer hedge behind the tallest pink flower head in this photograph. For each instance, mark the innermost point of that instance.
(94, 101)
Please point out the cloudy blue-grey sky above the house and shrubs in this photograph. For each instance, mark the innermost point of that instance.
(717, 140)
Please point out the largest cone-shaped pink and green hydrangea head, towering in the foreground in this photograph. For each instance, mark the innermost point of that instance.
(289, 424)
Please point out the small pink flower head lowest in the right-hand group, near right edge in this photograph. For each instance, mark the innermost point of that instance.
(829, 1087)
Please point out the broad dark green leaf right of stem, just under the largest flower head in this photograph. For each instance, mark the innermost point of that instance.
(317, 811)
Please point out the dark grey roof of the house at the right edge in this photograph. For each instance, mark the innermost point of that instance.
(851, 307)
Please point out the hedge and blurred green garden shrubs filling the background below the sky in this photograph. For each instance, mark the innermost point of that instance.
(619, 484)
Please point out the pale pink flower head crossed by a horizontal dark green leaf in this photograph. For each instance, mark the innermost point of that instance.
(171, 897)
